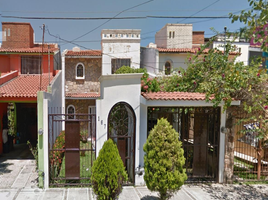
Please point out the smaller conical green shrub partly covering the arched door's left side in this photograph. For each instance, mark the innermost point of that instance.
(108, 172)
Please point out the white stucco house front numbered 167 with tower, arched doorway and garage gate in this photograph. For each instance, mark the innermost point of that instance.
(126, 115)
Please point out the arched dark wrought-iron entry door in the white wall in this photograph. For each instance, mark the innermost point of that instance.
(121, 129)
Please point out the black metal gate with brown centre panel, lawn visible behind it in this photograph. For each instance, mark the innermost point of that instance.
(71, 148)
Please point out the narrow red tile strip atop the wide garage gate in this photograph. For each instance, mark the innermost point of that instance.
(169, 96)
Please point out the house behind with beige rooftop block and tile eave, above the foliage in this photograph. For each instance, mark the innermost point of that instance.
(174, 44)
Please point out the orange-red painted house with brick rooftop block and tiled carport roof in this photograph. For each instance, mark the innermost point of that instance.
(25, 68)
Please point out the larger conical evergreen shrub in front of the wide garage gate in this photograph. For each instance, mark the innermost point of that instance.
(164, 160)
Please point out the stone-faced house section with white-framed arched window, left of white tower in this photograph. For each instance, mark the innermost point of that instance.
(82, 69)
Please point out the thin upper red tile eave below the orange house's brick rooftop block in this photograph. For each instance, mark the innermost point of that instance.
(36, 49)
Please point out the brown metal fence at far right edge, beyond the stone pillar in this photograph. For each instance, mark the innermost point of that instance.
(250, 152)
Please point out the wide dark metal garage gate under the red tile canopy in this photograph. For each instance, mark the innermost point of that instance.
(199, 129)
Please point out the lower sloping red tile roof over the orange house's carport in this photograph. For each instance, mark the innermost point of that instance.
(24, 86)
